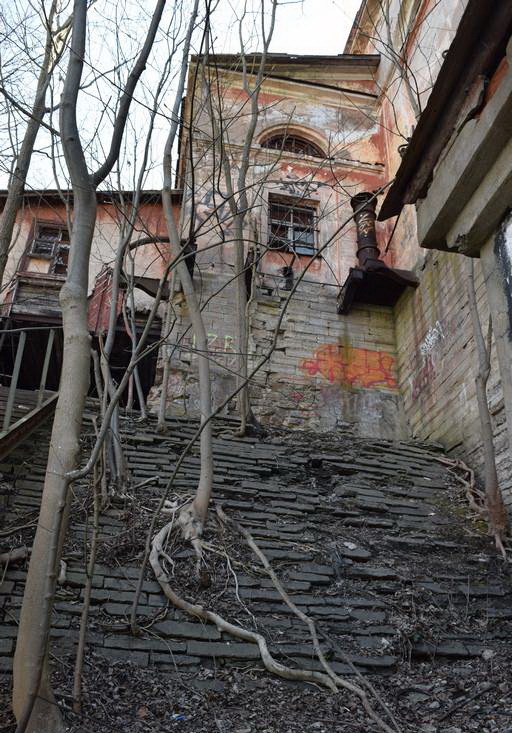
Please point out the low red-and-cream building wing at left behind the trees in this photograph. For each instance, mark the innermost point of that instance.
(37, 268)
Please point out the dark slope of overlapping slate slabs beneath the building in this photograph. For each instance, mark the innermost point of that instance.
(368, 537)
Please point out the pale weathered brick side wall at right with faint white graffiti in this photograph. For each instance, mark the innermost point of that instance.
(437, 363)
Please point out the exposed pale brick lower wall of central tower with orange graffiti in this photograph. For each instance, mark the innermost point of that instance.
(327, 372)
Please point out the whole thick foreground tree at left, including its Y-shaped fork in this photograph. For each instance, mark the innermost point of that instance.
(33, 702)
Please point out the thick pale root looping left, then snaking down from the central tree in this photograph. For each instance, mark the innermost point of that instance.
(327, 679)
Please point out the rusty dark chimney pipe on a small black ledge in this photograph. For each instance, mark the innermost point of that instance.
(372, 281)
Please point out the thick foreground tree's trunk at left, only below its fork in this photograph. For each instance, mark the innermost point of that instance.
(33, 638)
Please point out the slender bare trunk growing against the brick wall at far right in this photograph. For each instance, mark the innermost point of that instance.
(496, 510)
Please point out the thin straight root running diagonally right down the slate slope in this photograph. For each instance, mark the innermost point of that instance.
(338, 681)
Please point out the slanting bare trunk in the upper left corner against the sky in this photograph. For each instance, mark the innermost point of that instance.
(18, 177)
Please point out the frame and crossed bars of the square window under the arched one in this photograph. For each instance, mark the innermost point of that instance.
(291, 242)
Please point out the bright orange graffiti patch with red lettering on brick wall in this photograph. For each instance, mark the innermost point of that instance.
(351, 366)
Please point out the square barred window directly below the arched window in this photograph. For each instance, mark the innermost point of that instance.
(292, 226)
